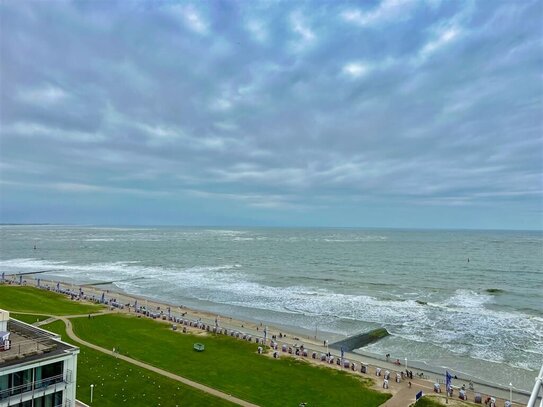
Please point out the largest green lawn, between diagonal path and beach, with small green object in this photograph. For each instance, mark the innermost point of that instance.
(230, 365)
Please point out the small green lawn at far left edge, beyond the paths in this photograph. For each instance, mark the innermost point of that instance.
(30, 299)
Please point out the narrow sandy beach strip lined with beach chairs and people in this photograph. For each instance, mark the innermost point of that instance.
(422, 379)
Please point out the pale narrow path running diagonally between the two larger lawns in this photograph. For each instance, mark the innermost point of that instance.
(206, 389)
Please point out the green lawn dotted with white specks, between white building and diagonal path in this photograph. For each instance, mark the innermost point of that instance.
(120, 383)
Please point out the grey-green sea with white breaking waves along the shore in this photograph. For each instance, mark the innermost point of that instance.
(482, 317)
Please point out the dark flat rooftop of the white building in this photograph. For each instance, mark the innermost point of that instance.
(29, 343)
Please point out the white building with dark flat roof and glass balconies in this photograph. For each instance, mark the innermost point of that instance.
(37, 369)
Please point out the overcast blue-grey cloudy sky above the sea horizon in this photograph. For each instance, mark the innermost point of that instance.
(392, 113)
